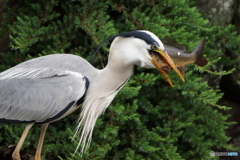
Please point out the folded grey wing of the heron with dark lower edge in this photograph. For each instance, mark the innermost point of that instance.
(40, 96)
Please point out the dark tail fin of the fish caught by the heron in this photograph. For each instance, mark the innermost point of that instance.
(198, 51)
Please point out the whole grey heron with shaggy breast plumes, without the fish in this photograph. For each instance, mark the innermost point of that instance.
(46, 89)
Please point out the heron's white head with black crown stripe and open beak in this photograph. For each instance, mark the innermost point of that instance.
(142, 48)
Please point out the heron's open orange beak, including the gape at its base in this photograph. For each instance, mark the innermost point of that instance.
(157, 53)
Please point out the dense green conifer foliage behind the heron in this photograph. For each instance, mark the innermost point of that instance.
(148, 119)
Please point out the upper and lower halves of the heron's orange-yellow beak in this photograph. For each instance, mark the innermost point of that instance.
(169, 61)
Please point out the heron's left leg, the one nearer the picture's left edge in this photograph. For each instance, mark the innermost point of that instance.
(16, 153)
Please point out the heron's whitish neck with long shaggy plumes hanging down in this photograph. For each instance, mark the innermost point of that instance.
(100, 94)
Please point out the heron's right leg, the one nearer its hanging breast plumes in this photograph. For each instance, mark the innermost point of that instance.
(40, 142)
